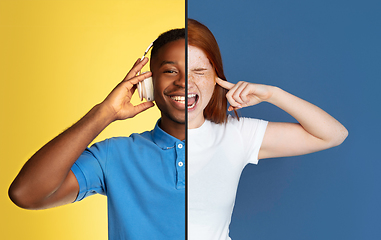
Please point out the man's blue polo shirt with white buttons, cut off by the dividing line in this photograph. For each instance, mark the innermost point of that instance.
(143, 177)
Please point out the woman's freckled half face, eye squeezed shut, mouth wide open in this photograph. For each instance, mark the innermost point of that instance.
(201, 82)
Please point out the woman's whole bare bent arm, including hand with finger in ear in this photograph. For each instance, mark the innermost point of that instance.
(316, 130)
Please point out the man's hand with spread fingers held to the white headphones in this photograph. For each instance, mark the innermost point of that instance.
(118, 102)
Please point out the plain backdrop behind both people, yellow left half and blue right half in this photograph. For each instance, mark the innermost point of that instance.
(60, 58)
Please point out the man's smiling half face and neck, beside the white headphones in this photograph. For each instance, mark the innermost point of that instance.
(168, 74)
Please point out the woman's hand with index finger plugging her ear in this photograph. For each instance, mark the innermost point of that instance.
(244, 94)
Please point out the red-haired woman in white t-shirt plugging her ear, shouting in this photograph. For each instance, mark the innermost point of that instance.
(219, 146)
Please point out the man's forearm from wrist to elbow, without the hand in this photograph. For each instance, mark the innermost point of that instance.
(47, 169)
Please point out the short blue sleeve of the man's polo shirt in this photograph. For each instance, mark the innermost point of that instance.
(89, 170)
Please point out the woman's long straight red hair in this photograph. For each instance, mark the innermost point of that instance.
(201, 37)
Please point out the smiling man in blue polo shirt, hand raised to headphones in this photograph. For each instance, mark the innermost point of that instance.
(142, 175)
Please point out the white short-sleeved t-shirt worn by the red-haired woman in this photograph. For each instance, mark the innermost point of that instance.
(217, 154)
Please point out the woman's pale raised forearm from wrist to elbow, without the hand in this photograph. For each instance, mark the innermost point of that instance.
(312, 118)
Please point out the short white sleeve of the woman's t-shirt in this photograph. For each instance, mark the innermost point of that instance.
(252, 132)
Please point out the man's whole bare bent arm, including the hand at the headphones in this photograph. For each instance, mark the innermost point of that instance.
(46, 179)
